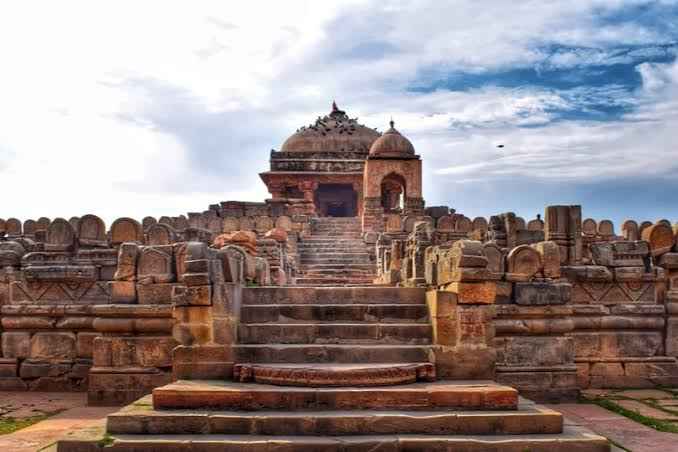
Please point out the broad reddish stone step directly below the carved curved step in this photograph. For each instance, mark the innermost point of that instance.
(185, 394)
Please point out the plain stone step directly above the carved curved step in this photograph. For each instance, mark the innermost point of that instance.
(330, 353)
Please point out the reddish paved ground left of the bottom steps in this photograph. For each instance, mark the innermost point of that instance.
(73, 414)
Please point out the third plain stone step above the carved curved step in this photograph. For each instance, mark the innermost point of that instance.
(382, 313)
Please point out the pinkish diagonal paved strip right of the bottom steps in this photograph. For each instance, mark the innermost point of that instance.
(619, 429)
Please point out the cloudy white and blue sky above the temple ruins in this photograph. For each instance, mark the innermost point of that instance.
(138, 108)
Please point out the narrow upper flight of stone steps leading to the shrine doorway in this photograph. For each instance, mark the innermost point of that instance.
(335, 254)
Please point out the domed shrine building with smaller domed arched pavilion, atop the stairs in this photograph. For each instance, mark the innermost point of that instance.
(338, 167)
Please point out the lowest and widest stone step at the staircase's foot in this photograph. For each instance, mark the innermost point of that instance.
(573, 438)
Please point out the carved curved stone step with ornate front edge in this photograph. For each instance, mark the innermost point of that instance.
(334, 375)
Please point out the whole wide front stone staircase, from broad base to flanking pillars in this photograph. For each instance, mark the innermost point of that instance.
(335, 369)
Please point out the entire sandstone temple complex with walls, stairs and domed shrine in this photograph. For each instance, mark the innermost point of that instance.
(341, 314)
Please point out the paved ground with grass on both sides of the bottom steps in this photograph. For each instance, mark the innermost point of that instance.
(49, 415)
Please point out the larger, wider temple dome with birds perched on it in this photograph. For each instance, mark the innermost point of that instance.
(335, 132)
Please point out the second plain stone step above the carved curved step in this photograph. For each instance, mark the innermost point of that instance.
(334, 333)
